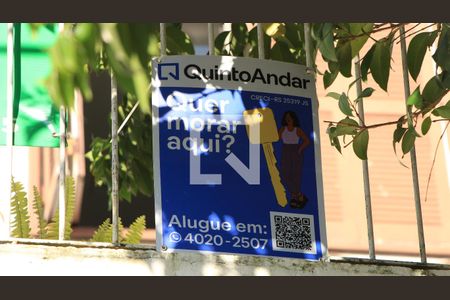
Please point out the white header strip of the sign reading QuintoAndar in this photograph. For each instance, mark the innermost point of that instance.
(225, 72)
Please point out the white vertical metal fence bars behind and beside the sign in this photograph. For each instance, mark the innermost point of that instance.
(115, 129)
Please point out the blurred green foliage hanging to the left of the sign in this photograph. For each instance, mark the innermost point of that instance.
(127, 50)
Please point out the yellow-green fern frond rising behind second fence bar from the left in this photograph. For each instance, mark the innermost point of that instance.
(53, 226)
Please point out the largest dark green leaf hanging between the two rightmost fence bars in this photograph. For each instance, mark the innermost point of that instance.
(381, 63)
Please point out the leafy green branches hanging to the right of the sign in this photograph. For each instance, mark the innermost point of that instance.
(377, 63)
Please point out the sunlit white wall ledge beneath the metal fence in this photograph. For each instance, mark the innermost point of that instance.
(74, 259)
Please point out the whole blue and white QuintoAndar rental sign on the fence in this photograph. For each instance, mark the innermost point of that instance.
(236, 156)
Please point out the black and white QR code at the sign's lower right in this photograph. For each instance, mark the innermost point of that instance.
(293, 232)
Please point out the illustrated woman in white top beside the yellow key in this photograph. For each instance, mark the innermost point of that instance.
(294, 142)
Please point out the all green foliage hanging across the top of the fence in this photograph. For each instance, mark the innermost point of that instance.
(127, 49)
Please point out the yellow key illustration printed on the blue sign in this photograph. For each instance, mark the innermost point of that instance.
(268, 134)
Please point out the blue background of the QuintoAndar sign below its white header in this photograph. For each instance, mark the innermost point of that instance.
(233, 201)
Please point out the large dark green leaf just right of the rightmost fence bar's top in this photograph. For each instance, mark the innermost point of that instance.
(416, 51)
